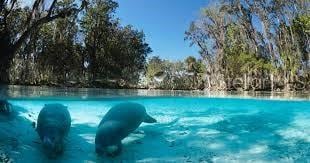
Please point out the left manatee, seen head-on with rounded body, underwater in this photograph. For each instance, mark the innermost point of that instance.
(53, 126)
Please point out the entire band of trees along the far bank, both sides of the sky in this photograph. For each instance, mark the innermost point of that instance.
(244, 45)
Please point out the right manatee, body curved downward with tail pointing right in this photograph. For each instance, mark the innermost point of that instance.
(118, 123)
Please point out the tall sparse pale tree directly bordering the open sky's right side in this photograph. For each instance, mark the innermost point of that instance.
(209, 34)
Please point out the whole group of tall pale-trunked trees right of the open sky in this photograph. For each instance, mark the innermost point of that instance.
(263, 40)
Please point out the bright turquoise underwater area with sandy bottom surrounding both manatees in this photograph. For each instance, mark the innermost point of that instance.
(188, 130)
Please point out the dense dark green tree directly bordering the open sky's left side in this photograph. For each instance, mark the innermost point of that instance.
(114, 52)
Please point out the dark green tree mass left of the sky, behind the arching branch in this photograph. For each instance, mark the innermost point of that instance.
(89, 49)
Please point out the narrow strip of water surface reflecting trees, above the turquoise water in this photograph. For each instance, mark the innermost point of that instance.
(97, 93)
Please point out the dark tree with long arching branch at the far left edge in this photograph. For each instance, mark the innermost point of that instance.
(12, 36)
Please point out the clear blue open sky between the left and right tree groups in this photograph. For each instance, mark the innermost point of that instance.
(164, 23)
